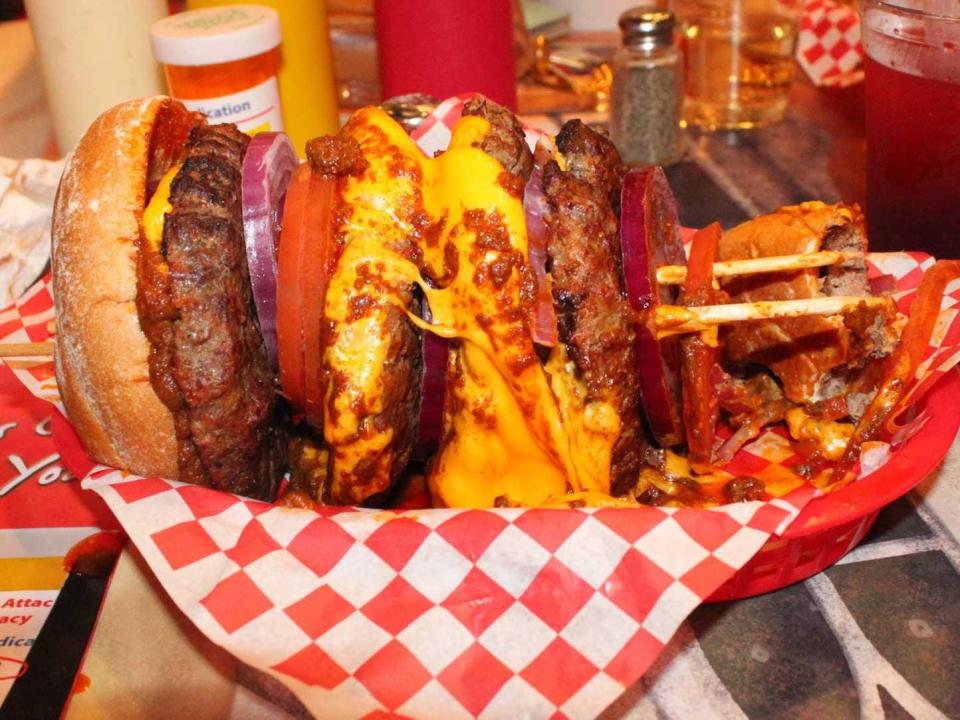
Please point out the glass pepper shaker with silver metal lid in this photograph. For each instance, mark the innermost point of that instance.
(646, 98)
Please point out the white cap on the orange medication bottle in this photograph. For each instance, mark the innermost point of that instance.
(215, 35)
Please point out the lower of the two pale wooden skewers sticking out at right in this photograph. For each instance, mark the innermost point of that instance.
(677, 319)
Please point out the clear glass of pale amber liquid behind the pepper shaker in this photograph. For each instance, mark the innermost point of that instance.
(739, 60)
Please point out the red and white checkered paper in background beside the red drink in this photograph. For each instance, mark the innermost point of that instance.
(828, 47)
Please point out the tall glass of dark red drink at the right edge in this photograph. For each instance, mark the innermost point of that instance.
(913, 124)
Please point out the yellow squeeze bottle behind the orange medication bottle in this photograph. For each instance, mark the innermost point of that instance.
(308, 90)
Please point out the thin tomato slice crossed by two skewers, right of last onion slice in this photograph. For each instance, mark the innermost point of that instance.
(698, 357)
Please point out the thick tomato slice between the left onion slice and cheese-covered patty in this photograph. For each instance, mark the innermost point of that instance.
(307, 255)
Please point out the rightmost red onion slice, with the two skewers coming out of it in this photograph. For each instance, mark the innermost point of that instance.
(650, 237)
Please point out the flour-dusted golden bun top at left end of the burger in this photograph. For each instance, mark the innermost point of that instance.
(101, 352)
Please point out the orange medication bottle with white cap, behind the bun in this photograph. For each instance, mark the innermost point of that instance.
(223, 62)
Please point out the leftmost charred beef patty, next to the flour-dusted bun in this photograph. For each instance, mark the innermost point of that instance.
(208, 363)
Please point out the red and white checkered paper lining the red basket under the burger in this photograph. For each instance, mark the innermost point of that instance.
(449, 613)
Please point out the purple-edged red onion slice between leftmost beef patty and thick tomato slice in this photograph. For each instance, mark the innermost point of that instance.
(267, 166)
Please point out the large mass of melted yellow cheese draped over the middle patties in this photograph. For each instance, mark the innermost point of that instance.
(505, 438)
